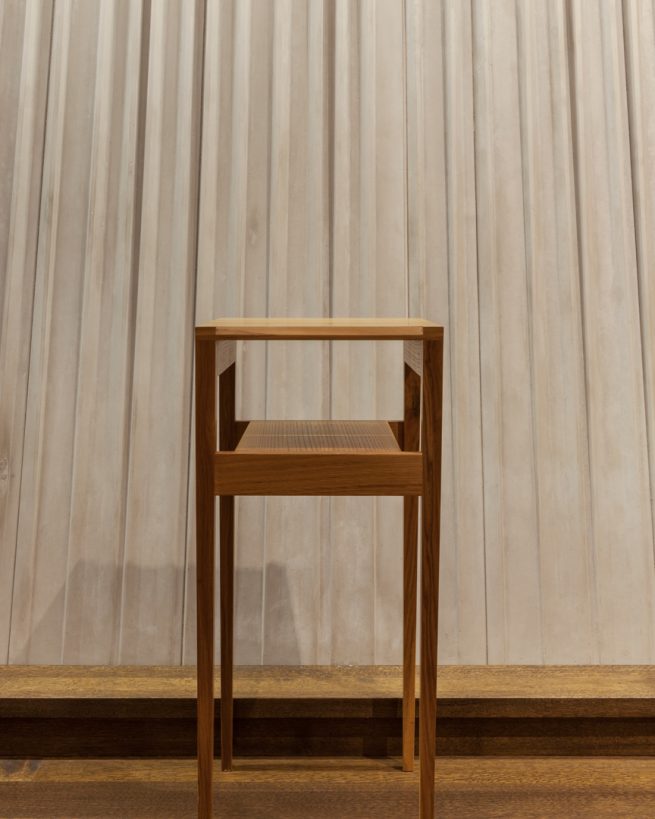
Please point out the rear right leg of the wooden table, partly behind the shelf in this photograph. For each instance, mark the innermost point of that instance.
(411, 428)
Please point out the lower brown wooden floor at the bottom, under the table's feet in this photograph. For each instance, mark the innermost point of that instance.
(335, 788)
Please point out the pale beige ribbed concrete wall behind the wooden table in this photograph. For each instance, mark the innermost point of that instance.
(485, 164)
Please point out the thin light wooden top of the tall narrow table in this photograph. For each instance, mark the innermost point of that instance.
(319, 328)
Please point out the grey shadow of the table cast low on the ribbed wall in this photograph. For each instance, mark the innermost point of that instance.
(104, 616)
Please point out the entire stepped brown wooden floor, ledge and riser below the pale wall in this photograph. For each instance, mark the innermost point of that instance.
(516, 721)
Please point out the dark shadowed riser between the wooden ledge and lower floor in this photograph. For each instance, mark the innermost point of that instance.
(320, 728)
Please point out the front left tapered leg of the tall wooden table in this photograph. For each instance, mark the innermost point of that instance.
(205, 521)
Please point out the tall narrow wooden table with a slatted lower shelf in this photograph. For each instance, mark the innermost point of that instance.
(318, 458)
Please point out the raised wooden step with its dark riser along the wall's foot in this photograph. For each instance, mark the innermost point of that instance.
(78, 711)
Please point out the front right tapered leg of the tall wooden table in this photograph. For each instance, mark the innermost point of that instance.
(431, 448)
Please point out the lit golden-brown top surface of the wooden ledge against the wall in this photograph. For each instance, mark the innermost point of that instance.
(485, 690)
